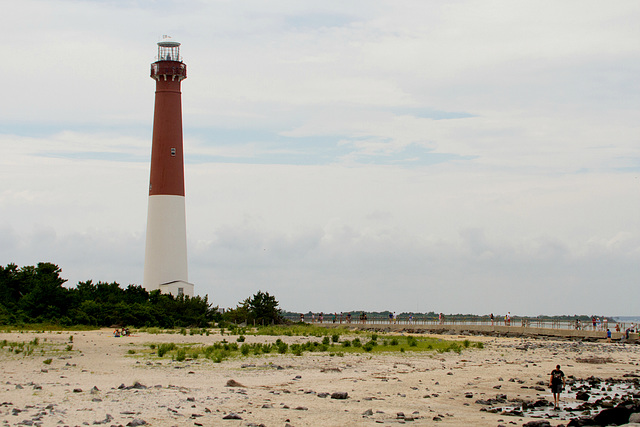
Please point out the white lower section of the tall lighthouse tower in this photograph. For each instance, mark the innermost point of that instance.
(165, 262)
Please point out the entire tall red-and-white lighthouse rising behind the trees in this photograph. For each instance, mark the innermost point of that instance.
(165, 262)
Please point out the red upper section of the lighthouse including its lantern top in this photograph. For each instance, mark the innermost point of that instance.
(167, 164)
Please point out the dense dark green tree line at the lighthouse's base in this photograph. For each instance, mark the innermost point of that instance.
(35, 294)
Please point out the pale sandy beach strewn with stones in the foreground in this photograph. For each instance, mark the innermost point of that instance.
(103, 380)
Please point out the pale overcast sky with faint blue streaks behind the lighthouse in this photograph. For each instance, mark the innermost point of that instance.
(448, 156)
